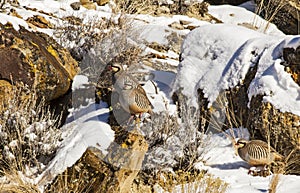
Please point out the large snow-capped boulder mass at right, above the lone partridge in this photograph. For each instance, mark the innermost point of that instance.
(242, 77)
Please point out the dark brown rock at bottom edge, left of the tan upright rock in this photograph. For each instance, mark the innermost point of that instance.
(90, 173)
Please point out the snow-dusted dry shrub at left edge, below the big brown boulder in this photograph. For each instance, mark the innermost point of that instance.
(29, 134)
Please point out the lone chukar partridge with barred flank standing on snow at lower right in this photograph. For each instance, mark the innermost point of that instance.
(257, 152)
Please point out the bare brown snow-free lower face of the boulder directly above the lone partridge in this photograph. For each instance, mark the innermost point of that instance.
(268, 122)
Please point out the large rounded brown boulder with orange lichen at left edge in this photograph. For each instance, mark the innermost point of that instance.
(36, 60)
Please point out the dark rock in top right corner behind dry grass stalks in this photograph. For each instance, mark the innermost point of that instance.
(284, 14)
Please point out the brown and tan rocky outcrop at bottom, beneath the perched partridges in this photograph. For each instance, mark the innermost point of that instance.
(113, 173)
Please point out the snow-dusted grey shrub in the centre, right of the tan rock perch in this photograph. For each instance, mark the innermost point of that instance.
(175, 139)
